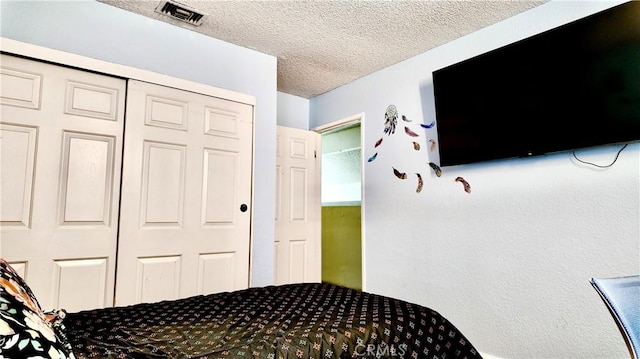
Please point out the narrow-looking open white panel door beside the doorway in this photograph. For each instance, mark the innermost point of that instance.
(298, 208)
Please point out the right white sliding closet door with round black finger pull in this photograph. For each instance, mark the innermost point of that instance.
(186, 192)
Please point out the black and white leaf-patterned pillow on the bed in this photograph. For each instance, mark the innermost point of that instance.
(25, 330)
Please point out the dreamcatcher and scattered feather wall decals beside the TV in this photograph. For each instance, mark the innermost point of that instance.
(390, 125)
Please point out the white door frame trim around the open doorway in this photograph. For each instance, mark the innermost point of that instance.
(347, 122)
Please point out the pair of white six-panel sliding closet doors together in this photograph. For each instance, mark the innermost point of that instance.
(182, 224)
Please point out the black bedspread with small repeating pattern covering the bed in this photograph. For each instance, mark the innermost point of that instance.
(290, 321)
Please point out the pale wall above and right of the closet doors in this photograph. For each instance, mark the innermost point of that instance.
(107, 33)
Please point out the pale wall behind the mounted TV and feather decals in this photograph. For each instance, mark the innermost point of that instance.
(509, 264)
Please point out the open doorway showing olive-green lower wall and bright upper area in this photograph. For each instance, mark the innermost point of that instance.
(341, 198)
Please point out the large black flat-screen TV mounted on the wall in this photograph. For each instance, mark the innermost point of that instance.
(572, 87)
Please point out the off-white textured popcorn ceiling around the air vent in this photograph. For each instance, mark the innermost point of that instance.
(321, 45)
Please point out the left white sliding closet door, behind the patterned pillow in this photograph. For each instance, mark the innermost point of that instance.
(60, 157)
